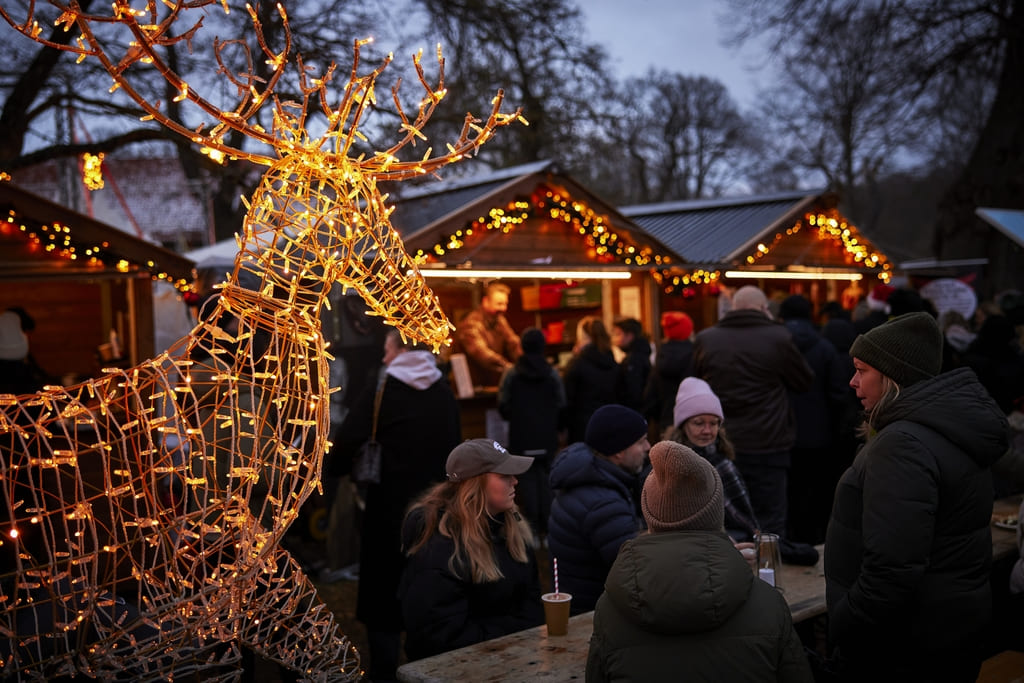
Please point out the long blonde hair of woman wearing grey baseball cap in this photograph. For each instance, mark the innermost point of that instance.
(458, 510)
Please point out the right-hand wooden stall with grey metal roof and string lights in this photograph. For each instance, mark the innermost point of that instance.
(790, 243)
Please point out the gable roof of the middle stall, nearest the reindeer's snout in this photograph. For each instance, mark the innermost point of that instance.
(422, 219)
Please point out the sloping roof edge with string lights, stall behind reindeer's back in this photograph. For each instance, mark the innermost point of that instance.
(120, 253)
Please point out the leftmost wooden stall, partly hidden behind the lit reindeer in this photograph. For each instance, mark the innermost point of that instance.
(80, 279)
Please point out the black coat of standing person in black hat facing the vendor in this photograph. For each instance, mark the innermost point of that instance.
(533, 400)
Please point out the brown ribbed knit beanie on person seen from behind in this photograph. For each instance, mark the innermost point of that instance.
(682, 493)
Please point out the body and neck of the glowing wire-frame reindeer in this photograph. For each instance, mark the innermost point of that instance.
(249, 407)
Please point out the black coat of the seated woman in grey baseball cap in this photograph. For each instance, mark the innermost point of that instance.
(446, 611)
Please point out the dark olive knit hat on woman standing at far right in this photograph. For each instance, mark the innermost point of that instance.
(907, 350)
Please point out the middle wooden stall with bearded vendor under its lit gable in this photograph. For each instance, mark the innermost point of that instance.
(565, 253)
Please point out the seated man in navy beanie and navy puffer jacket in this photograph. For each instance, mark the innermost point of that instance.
(598, 485)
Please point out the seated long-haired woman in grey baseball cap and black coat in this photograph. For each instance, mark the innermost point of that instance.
(472, 574)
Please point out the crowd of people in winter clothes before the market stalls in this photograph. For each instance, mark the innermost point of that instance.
(876, 432)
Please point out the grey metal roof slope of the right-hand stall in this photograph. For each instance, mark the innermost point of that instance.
(719, 232)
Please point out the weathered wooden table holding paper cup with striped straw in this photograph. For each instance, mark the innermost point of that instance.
(531, 655)
